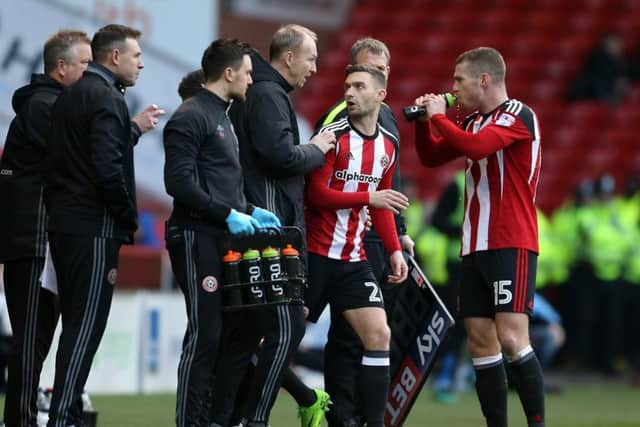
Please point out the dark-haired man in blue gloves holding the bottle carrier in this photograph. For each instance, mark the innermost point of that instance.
(204, 176)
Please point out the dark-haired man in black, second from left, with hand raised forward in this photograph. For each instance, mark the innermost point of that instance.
(91, 199)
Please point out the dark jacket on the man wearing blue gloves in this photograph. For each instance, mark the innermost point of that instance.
(202, 169)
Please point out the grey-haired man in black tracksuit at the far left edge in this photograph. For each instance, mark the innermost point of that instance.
(32, 309)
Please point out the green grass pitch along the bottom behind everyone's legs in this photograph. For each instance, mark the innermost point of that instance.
(595, 405)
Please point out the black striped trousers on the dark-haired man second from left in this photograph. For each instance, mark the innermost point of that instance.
(86, 269)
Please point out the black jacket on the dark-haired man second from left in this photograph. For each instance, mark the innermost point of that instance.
(91, 190)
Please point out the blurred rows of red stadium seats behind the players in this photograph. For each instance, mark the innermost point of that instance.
(544, 44)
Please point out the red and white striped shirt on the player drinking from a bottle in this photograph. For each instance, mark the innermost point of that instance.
(503, 166)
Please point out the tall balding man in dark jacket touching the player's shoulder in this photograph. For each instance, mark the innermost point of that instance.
(274, 164)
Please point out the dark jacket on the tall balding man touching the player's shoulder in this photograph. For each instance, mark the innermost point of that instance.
(273, 161)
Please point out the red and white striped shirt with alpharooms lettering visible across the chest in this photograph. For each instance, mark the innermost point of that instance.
(337, 194)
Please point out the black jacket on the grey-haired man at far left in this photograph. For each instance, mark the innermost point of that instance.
(23, 217)
